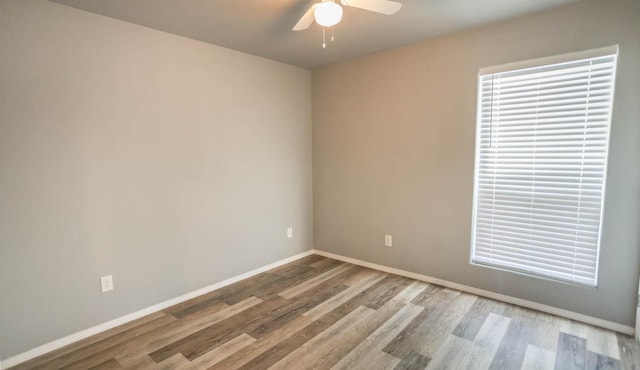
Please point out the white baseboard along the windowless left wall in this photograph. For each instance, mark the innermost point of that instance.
(59, 343)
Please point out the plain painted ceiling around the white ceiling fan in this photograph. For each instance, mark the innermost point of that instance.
(263, 27)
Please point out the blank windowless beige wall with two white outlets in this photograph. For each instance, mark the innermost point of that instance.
(169, 163)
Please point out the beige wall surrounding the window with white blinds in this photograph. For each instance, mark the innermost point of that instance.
(393, 153)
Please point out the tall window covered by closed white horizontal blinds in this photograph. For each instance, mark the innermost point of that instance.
(541, 159)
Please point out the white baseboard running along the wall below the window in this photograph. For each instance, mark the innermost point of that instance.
(485, 293)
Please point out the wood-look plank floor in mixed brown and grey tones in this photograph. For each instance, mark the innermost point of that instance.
(318, 313)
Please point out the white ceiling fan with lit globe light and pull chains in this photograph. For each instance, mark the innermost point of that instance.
(328, 13)
